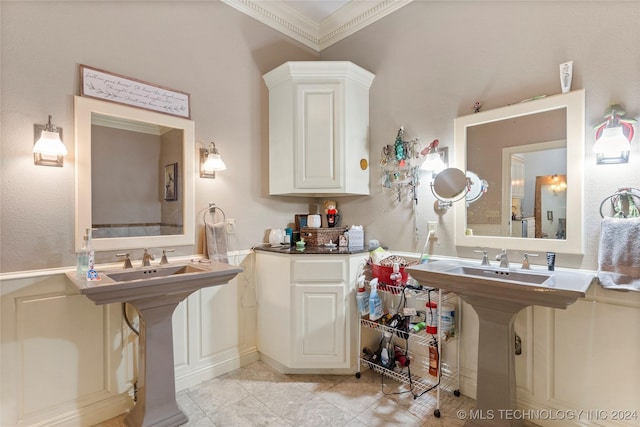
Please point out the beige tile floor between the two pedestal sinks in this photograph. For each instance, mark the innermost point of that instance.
(257, 395)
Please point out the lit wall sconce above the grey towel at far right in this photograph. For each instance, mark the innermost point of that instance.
(613, 137)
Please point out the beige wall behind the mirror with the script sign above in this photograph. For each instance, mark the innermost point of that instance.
(207, 49)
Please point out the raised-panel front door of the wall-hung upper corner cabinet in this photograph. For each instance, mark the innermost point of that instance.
(319, 136)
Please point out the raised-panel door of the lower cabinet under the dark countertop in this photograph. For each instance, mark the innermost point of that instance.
(319, 326)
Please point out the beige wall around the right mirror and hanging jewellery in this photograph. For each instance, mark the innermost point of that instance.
(434, 59)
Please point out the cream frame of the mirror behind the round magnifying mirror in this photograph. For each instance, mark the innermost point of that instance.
(574, 102)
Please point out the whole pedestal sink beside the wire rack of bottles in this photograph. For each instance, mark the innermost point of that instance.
(497, 295)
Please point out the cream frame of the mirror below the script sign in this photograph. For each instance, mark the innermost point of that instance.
(83, 109)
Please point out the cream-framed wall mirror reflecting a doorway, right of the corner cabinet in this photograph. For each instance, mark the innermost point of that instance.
(534, 201)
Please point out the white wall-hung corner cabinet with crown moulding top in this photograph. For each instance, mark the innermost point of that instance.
(318, 128)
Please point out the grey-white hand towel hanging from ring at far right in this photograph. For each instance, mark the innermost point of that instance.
(619, 254)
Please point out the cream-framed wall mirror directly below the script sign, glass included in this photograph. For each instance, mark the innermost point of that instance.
(134, 177)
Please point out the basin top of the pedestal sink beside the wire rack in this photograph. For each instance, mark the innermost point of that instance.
(527, 287)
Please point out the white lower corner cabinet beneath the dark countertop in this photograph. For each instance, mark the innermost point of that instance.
(306, 313)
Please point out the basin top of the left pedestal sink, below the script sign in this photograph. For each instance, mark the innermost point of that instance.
(140, 283)
